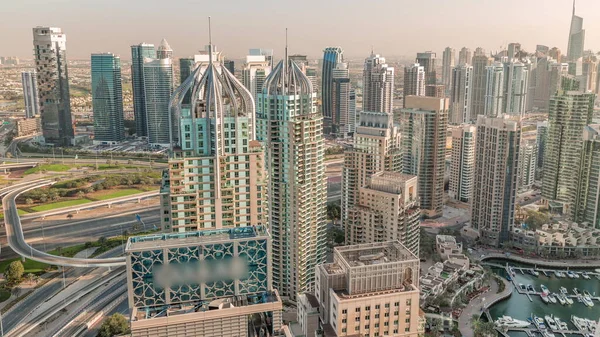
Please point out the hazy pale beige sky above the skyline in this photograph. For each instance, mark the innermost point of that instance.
(393, 28)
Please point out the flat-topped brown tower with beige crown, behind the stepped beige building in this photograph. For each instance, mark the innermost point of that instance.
(424, 122)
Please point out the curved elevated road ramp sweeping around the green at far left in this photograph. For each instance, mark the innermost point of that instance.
(16, 240)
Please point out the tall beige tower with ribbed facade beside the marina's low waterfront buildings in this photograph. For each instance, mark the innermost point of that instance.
(495, 178)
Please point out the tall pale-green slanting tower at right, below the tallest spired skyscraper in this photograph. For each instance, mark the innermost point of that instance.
(569, 113)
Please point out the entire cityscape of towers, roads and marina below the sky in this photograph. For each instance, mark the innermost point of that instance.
(280, 195)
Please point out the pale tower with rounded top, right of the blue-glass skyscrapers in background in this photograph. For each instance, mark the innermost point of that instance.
(378, 85)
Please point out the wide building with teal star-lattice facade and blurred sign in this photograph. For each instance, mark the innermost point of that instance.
(203, 283)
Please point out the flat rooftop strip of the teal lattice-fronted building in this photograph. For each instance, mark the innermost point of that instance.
(169, 240)
